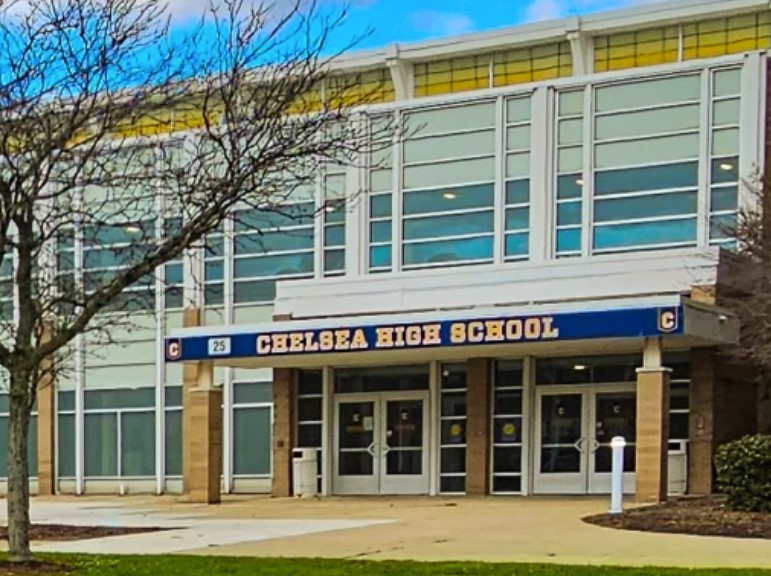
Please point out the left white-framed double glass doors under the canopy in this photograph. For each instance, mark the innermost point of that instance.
(381, 444)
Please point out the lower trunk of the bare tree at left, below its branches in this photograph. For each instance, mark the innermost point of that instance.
(18, 471)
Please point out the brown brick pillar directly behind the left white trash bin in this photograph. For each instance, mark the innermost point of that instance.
(283, 430)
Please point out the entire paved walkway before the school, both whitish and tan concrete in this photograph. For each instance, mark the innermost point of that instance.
(485, 529)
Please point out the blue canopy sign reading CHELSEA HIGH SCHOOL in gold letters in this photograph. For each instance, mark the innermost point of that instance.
(560, 326)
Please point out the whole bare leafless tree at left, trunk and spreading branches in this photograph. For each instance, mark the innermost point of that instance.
(124, 141)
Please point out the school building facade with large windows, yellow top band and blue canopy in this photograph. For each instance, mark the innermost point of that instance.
(518, 280)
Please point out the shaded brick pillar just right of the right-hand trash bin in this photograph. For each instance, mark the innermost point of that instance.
(701, 432)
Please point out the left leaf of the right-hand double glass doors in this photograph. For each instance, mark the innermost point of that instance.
(560, 456)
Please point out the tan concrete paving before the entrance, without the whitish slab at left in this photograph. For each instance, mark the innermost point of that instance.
(486, 529)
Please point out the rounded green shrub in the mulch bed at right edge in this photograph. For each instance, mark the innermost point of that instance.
(744, 473)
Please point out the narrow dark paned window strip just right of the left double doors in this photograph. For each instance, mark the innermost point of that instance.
(452, 455)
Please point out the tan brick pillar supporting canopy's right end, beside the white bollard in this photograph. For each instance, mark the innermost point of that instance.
(652, 434)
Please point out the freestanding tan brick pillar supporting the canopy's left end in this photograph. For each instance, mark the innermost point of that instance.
(201, 427)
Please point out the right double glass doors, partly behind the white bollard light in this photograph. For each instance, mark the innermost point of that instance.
(574, 430)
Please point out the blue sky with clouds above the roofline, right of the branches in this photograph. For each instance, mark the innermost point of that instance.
(413, 20)
